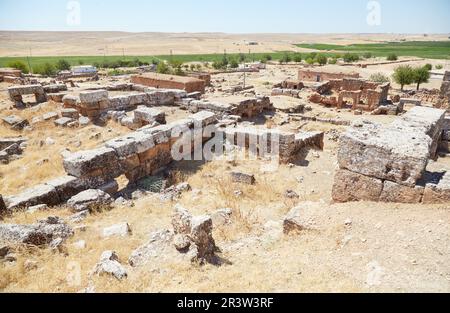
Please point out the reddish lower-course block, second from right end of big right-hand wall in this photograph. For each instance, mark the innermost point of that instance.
(396, 193)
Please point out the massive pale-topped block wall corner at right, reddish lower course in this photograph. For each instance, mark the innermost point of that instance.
(388, 163)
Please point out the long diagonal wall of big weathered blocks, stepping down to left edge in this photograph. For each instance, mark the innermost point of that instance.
(136, 155)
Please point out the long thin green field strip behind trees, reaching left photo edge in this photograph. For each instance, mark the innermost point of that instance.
(89, 60)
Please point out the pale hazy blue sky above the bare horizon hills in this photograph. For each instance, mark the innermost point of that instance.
(231, 16)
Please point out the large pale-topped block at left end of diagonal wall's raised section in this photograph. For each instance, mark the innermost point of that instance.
(83, 163)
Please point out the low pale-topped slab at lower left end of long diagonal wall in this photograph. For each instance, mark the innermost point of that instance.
(41, 194)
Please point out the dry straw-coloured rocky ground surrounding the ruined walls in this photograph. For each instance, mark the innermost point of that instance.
(353, 247)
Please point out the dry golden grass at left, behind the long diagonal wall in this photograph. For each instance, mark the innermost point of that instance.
(41, 162)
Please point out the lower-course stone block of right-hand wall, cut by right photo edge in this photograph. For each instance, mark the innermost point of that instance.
(437, 188)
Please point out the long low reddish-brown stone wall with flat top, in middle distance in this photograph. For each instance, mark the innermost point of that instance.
(189, 84)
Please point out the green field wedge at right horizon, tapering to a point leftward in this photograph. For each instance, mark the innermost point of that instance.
(421, 49)
